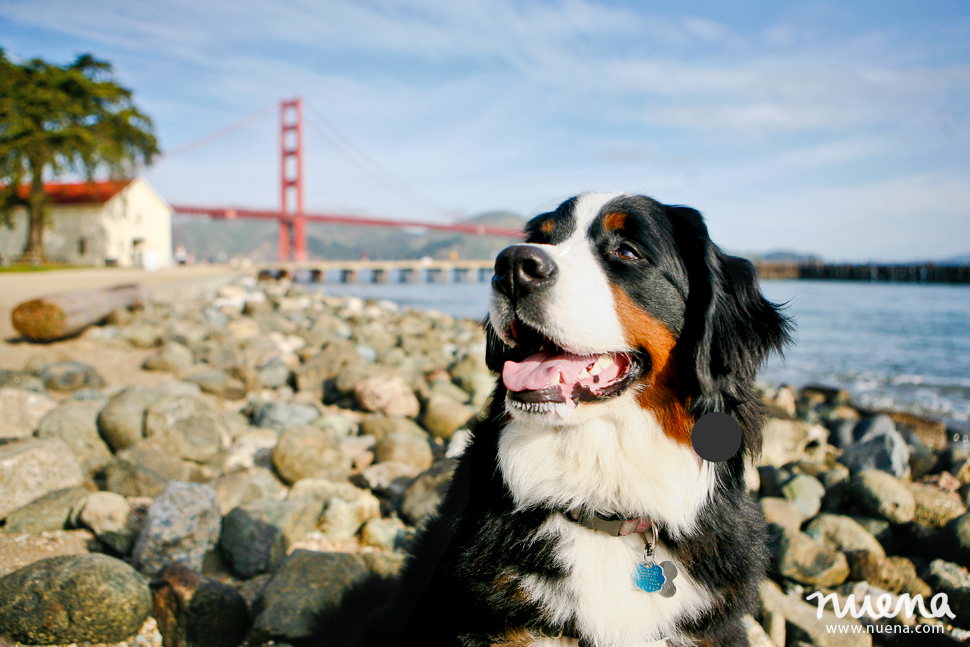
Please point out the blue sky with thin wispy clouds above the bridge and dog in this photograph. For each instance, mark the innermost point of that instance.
(839, 128)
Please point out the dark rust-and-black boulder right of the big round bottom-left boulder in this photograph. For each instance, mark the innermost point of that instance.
(192, 609)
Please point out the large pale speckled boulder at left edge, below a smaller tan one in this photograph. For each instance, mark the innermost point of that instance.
(32, 467)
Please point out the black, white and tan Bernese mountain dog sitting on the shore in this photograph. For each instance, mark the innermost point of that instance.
(580, 513)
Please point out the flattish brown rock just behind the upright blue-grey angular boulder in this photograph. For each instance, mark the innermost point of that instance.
(144, 469)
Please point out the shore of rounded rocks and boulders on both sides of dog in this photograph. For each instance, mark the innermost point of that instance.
(239, 469)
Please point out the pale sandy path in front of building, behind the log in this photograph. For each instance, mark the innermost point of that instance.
(170, 284)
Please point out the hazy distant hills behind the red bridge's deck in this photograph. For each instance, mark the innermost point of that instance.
(256, 239)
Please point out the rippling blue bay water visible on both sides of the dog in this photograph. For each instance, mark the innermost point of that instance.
(892, 345)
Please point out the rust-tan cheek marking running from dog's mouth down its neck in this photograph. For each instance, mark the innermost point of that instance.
(661, 394)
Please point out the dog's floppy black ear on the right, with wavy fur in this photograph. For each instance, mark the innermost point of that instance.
(738, 326)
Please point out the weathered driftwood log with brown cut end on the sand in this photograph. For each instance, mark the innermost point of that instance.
(65, 314)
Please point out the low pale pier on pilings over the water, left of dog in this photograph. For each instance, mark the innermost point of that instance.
(378, 271)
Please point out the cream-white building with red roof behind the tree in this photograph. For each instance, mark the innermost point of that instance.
(124, 223)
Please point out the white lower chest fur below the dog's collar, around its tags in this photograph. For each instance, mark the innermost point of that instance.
(600, 593)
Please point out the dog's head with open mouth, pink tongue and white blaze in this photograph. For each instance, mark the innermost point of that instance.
(617, 293)
